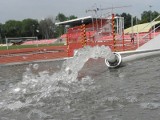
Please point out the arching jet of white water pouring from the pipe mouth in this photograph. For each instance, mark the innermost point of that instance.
(81, 56)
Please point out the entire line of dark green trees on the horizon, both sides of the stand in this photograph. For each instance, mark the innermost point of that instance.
(46, 28)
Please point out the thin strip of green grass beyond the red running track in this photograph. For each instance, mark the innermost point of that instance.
(29, 46)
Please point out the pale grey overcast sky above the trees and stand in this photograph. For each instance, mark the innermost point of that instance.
(40, 9)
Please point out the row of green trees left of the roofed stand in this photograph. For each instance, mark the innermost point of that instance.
(31, 27)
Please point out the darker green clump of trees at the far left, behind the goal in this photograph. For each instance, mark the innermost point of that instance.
(25, 28)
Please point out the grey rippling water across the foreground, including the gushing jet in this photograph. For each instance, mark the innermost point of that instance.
(81, 88)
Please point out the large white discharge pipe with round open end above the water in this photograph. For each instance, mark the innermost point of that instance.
(115, 60)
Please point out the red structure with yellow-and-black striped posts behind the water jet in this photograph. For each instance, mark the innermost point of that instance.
(82, 35)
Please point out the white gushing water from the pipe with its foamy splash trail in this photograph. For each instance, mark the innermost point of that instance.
(33, 88)
